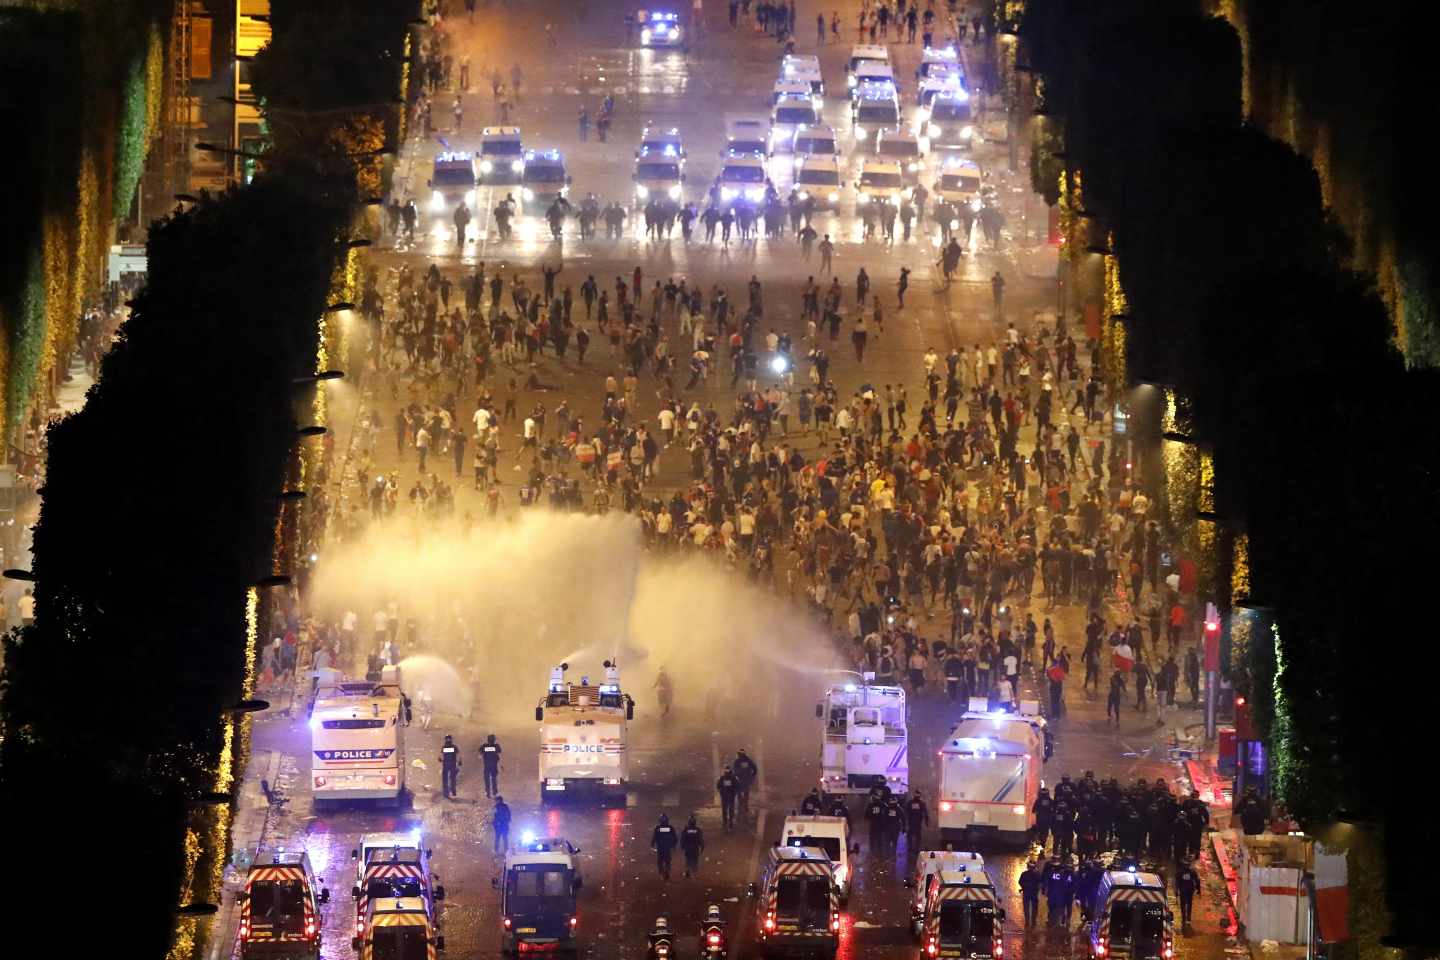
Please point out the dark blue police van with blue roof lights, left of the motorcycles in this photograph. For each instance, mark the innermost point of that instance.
(538, 887)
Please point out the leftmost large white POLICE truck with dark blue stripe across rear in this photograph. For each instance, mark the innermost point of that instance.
(358, 741)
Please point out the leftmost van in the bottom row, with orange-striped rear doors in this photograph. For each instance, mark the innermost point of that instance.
(280, 909)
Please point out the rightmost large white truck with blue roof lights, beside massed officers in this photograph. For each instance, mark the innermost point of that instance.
(991, 769)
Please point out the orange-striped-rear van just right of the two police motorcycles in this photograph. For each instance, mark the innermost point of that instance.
(797, 907)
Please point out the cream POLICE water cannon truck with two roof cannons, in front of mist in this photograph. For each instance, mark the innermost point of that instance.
(584, 738)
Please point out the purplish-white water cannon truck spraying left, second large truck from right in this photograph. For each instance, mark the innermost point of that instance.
(865, 738)
